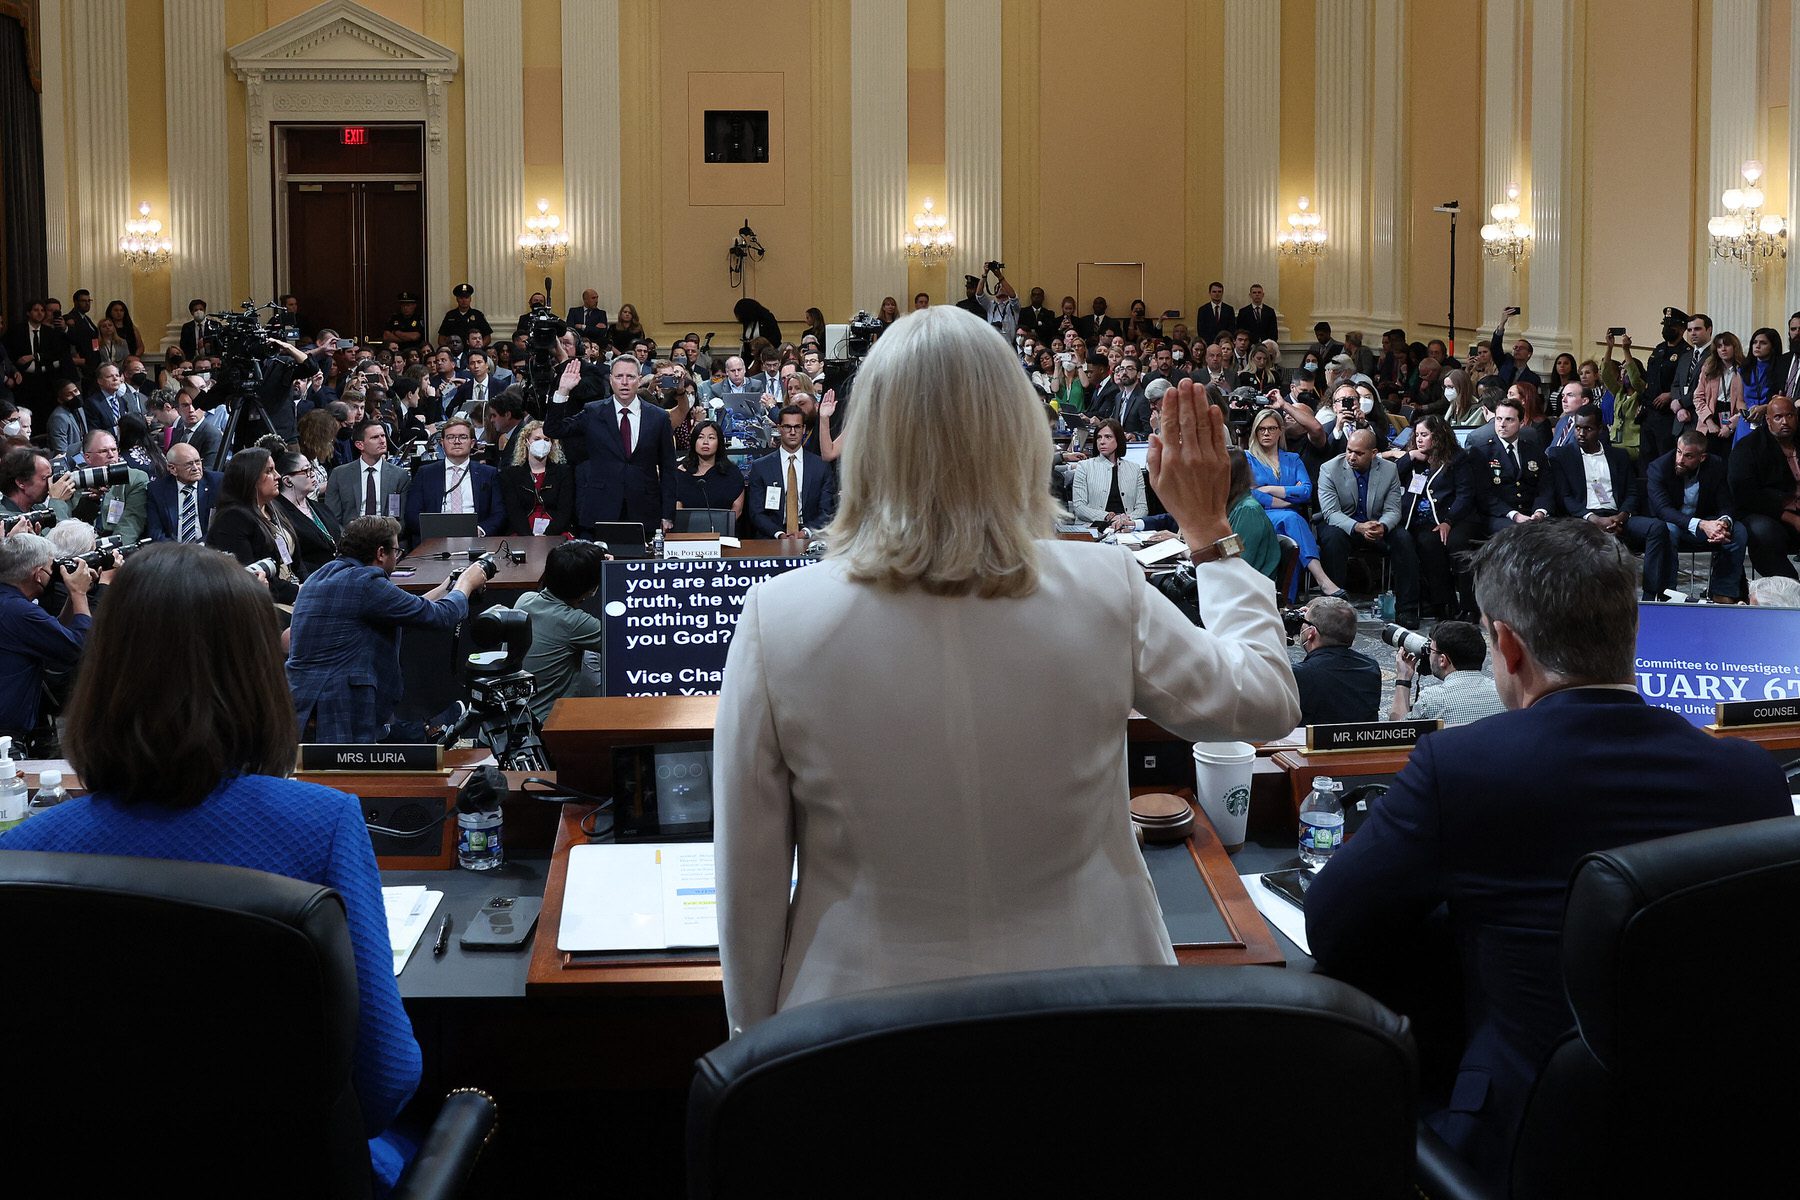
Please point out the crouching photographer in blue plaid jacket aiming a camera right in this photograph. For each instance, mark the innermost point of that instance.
(345, 640)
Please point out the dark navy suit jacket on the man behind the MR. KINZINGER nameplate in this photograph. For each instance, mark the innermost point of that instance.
(1491, 819)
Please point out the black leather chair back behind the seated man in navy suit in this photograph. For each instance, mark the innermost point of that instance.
(1680, 969)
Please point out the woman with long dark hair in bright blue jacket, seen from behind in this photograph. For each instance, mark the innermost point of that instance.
(193, 767)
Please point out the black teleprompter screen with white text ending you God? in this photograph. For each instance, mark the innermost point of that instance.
(669, 623)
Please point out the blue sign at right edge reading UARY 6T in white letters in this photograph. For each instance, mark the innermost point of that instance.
(1696, 658)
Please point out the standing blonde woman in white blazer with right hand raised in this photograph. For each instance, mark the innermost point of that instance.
(901, 713)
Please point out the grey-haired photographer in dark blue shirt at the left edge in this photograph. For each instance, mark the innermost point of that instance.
(31, 640)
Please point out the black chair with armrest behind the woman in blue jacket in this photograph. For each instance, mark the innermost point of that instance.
(192, 1026)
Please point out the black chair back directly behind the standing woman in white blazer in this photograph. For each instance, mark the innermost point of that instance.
(1228, 1082)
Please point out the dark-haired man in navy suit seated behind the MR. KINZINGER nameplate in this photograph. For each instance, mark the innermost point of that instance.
(1491, 819)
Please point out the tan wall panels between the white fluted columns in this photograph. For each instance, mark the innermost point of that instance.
(1108, 150)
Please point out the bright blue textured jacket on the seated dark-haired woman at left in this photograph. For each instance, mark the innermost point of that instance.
(291, 828)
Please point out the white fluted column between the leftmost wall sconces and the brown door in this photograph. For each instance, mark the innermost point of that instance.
(193, 31)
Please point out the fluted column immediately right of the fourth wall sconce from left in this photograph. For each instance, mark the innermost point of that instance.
(1342, 141)
